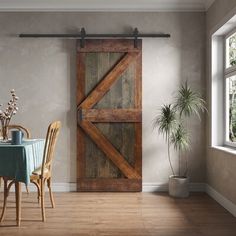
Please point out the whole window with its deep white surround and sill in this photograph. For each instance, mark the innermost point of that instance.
(222, 76)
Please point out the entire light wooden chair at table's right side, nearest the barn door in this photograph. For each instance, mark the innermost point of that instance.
(44, 172)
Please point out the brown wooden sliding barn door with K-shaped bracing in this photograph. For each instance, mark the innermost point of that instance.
(109, 142)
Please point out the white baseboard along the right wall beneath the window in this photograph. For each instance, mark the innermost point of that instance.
(227, 204)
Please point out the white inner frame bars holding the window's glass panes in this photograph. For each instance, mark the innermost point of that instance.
(228, 72)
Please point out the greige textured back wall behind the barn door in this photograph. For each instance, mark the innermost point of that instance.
(43, 72)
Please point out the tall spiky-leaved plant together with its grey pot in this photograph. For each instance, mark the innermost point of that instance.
(171, 122)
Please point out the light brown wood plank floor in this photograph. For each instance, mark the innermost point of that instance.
(121, 214)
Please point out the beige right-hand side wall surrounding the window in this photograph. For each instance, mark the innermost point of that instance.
(221, 166)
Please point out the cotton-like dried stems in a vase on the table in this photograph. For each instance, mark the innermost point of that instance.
(5, 116)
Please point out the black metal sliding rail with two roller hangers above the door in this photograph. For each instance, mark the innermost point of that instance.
(82, 36)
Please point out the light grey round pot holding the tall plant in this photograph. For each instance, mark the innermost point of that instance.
(178, 186)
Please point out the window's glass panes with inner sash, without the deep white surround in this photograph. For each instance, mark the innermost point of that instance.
(230, 89)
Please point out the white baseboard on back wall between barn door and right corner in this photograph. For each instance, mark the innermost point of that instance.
(158, 187)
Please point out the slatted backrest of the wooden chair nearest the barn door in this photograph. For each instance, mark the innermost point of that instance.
(50, 143)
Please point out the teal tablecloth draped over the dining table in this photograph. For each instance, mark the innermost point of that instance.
(18, 161)
